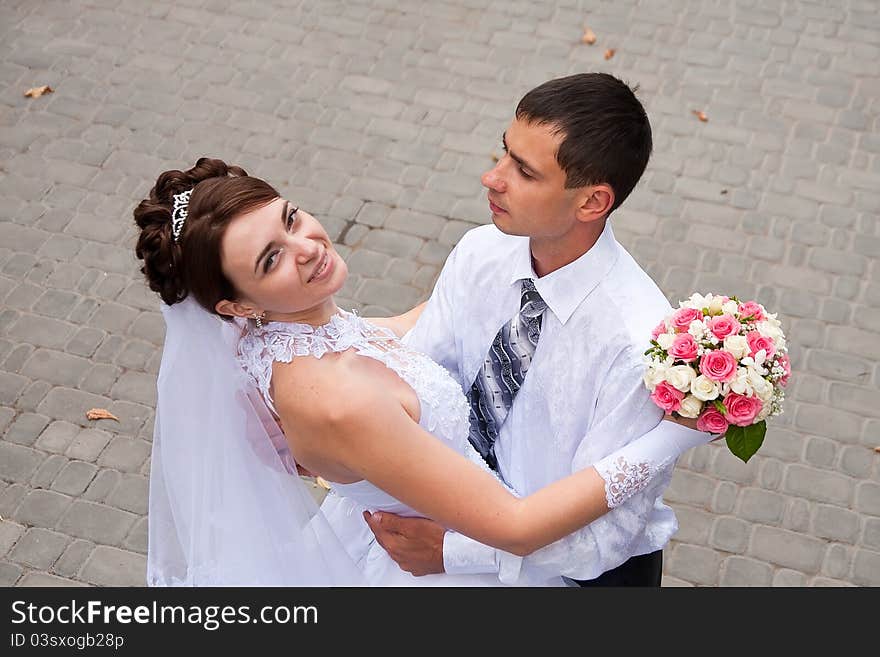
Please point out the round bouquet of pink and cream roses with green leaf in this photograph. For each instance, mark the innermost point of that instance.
(723, 362)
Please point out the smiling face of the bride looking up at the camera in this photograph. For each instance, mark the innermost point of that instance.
(281, 259)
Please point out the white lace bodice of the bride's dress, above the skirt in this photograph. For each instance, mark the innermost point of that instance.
(444, 409)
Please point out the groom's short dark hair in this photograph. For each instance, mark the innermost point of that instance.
(606, 132)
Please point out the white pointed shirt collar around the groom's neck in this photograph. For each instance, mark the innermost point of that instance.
(564, 289)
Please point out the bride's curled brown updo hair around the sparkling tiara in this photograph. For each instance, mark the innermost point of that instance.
(191, 265)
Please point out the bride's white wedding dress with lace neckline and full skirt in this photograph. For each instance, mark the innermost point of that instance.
(444, 413)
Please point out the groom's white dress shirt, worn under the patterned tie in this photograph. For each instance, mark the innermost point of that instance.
(583, 396)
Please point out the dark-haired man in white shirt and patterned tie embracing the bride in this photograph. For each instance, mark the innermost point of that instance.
(559, 386)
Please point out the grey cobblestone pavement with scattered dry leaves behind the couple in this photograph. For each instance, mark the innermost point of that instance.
(379, 116)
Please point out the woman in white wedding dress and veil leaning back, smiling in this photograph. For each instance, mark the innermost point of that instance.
(262, 373)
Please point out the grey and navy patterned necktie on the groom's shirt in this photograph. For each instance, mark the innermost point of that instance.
(503, 372)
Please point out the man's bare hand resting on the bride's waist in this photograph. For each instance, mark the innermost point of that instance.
(416, 544)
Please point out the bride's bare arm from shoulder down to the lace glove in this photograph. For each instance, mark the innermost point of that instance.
(357, 424)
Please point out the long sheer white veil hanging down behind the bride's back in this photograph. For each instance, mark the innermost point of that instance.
(226, 509)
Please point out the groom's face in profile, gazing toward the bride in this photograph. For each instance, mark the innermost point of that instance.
(527, 194)
